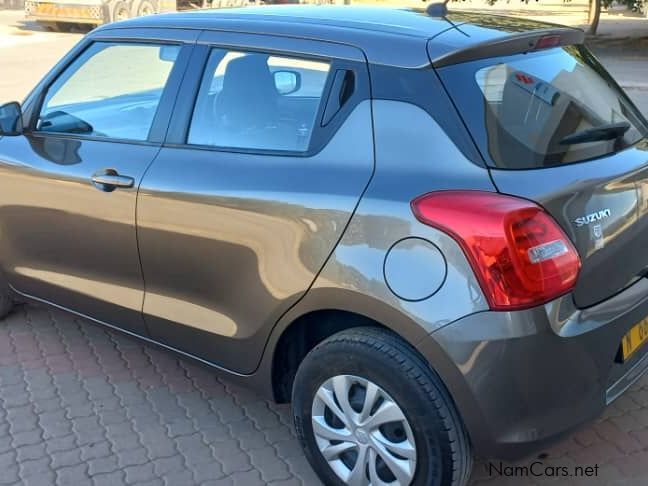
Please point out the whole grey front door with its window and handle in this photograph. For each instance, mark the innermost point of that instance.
(68, 187)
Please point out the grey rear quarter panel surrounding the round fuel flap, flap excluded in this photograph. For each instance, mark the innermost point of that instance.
(411, 159)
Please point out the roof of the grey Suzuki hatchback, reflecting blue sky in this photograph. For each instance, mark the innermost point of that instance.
(387, 35)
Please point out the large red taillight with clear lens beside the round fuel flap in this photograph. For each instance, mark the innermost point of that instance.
(520, 255)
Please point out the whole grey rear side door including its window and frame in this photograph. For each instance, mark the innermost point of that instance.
(264, 164)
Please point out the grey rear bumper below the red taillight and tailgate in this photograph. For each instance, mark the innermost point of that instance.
(523, 379)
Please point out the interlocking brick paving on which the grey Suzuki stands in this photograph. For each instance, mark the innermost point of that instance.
(82, 405)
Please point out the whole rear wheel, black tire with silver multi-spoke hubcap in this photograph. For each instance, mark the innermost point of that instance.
(368, 410)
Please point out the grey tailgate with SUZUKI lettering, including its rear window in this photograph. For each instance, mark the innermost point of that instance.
(555, 128)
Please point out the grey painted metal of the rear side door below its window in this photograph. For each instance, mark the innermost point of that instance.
(246, 234)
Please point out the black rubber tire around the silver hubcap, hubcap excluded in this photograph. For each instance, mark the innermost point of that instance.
(443, 452)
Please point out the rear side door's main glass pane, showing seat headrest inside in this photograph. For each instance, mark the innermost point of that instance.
(258, 101)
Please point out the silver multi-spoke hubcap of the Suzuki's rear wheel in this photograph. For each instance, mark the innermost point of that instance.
(362, 433)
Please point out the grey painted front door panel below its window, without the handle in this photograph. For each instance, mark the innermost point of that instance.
(65, 241)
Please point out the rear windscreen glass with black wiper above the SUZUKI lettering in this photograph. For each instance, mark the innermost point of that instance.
(543, 109)
